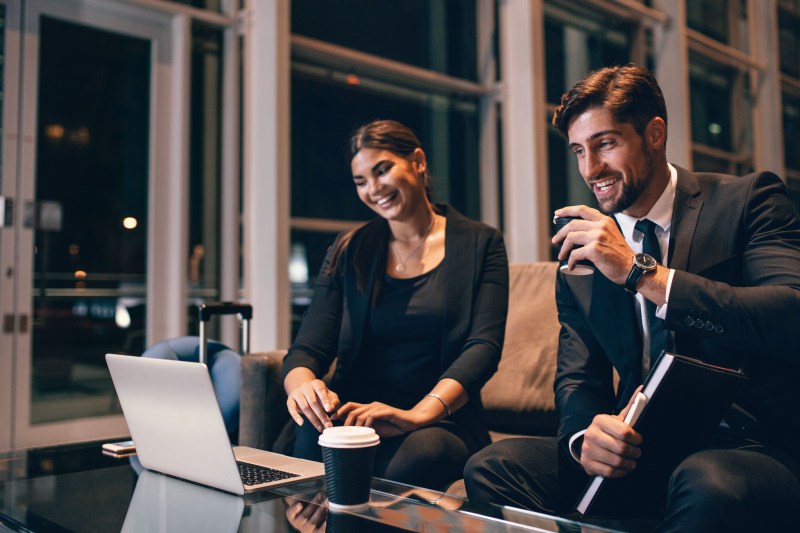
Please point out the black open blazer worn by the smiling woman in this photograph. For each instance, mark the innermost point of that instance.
(476, 279)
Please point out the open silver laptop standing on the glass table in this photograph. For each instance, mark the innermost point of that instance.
(174, 418)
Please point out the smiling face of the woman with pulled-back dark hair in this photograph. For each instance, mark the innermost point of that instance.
(390, 184)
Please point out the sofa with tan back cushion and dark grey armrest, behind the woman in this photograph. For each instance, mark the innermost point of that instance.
(518, 399)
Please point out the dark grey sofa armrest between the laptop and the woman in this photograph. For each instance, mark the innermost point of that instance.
(262, 408)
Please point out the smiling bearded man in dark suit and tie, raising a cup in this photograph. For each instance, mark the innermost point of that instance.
(725, 289)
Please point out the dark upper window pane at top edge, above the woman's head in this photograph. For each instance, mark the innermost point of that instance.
(434, 34)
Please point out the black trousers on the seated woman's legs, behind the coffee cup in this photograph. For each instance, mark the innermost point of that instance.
(432, 457)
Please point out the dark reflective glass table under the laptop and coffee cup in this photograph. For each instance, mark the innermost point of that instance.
(78, 488)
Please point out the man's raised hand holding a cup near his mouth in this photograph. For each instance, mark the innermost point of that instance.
(602, 242)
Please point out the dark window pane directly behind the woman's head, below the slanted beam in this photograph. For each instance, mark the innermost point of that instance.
(326, 111)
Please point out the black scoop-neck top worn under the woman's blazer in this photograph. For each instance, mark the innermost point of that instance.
(402, 348)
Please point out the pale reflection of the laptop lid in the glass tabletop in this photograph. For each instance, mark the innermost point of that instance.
(162, 503)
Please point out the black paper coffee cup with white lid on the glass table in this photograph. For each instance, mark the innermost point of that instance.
(349, 454)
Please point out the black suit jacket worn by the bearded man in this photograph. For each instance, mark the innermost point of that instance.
(734, 302)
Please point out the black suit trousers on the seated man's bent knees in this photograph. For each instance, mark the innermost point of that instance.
(745, 488)
